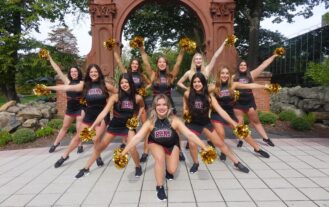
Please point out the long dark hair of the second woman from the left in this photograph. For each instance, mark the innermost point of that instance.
(88, 81)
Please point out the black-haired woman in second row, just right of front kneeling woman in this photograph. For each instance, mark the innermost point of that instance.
(197, 103)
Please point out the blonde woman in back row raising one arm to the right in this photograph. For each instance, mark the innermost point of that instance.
(198, 66)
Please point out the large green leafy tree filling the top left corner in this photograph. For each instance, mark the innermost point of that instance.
(17, 19)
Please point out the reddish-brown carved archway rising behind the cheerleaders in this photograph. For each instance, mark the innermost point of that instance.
(109, 16)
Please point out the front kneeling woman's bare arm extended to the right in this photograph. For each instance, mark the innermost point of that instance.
(177, 124)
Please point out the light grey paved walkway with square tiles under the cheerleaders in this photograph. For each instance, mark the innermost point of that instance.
(297, 174)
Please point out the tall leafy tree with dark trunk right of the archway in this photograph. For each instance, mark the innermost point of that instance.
(250, 13)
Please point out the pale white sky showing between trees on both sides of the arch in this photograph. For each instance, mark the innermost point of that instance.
(81, 28)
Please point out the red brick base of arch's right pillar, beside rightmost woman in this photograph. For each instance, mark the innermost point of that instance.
(262, 97)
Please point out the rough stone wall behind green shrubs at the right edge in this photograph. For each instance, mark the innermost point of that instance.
(302, 100)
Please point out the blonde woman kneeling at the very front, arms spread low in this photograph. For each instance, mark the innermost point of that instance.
(162, 129)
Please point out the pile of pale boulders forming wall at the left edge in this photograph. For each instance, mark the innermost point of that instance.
(32, 115)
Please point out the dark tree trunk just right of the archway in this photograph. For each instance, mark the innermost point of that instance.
(254, 20)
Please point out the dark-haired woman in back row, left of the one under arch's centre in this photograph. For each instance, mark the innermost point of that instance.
(140, 81)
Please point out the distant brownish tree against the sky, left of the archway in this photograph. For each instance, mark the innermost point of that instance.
(64, 40)
